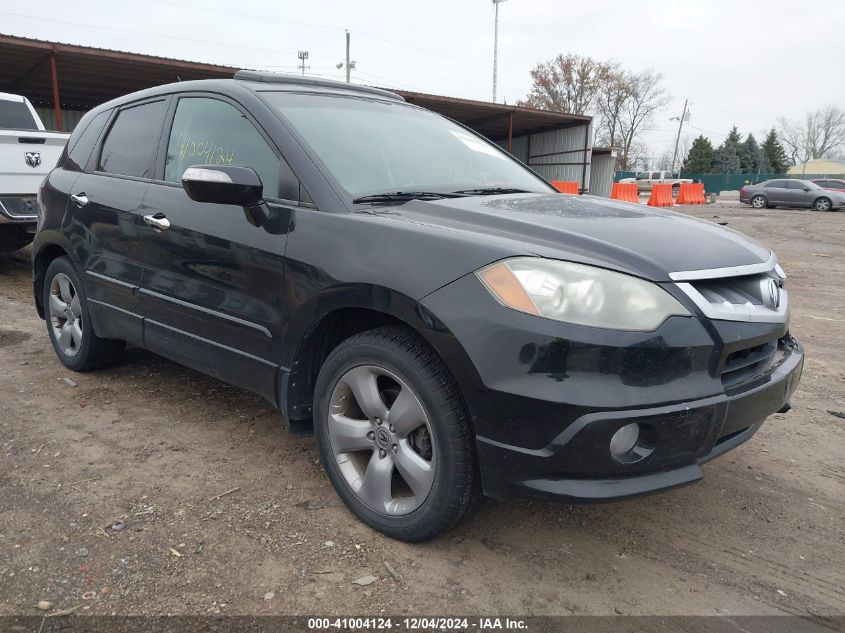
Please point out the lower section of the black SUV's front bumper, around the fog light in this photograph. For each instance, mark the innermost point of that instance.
(684, 435)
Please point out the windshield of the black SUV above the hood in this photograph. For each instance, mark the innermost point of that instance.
(374, 147)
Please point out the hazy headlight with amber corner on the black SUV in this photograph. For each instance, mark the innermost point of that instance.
(579, 294)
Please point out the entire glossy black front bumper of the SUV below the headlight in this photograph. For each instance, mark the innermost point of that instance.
(546, 397)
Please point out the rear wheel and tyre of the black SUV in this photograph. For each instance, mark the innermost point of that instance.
(69, 323)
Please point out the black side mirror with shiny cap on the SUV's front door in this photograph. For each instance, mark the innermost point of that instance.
(225, 184)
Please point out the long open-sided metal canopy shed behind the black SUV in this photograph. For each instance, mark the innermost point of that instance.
(65, 80)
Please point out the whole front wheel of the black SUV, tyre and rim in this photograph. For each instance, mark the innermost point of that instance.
(393, 435)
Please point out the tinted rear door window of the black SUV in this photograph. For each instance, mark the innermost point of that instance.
(131, 141)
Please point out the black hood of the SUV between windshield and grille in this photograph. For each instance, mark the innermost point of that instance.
(645, 241)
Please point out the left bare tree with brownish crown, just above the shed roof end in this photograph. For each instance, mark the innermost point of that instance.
(568, 83)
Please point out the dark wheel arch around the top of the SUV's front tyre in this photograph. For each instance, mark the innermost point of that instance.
(311, 345)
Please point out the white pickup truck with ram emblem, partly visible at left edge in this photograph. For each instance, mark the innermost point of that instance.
(27, 154)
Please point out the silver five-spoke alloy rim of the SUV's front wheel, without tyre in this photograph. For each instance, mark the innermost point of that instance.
(381, 440)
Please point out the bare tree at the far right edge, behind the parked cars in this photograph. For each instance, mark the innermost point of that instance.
(820, 135)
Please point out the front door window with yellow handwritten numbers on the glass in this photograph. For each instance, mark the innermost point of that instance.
(209, 131)
